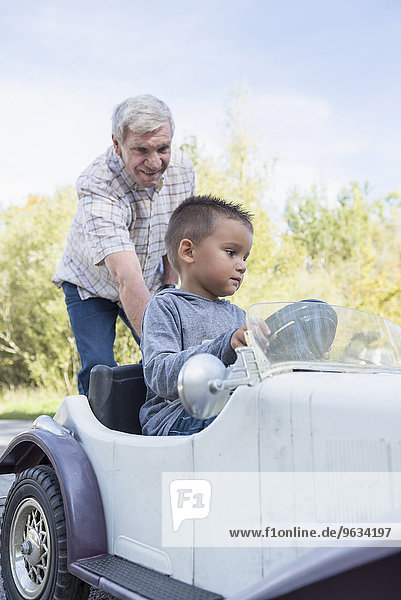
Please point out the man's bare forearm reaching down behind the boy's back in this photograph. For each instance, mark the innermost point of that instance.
(126, 271)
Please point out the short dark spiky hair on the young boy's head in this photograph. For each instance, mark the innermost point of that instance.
(196, 219)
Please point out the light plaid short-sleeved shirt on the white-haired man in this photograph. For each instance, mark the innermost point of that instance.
(114, 214)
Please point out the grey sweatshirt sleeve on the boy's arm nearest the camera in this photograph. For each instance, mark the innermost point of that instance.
(162, 351)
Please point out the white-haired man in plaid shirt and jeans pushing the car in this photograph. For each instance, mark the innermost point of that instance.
(115, 259)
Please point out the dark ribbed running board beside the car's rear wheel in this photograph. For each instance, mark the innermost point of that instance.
(129, 581)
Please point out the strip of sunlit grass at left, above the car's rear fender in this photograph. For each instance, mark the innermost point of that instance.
(29, 403)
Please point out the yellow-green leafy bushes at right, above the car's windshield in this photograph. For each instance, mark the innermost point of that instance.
(352, 246)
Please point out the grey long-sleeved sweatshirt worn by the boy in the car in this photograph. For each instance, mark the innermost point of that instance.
(176, 325)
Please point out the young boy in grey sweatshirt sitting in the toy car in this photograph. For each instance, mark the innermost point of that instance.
(208, 241)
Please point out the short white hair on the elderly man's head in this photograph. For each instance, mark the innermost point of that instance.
(141, 114)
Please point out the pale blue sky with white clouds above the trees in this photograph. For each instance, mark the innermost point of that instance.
(324, 80)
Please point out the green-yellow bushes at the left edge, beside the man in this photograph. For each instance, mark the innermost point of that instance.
(36, 345)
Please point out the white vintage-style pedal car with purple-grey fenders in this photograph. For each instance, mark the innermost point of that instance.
(307, 433)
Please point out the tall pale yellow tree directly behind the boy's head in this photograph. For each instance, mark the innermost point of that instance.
(240, 176)
